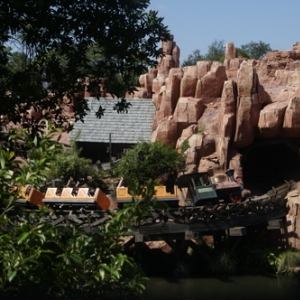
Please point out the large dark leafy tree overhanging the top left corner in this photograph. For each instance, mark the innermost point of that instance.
(64, 41)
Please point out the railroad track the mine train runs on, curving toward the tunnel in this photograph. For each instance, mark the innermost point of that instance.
(268, 206)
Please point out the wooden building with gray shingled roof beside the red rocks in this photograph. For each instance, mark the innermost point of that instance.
(111, 135)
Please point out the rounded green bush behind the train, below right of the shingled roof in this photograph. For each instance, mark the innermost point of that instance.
(150, 161)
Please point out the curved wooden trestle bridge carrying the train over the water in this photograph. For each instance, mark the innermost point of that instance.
(187, 223)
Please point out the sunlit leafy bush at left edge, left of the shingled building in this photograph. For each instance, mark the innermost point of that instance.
(24, 159)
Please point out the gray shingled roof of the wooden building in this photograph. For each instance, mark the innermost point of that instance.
(131, 127)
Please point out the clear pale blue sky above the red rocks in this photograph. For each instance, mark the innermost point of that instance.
(196, 24)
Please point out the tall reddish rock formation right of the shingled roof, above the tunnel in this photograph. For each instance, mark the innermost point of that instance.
(212, 110)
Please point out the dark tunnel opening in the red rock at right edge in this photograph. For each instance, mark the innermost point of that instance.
(267, 164)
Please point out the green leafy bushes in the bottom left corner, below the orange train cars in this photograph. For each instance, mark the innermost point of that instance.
(43, 261)
